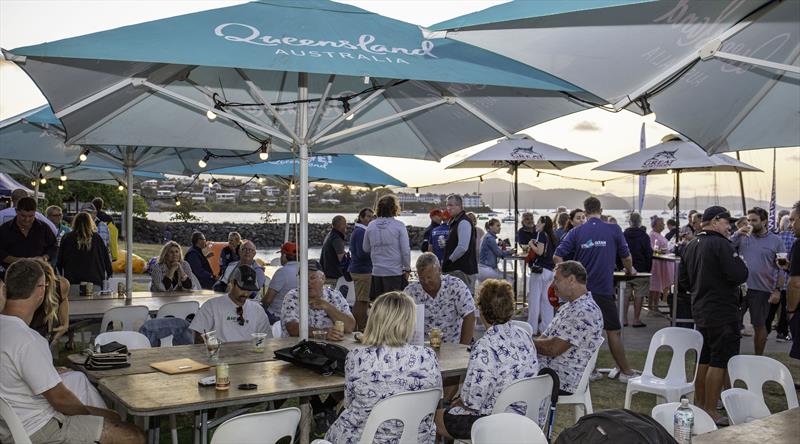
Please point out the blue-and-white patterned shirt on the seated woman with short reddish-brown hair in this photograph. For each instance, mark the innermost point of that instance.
(503, 355)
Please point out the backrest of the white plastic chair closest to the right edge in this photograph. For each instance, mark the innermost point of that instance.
(754, 371)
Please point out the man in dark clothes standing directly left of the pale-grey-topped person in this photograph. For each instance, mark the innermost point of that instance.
(360, 267)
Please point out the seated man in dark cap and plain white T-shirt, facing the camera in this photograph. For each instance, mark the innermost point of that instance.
(233, 316)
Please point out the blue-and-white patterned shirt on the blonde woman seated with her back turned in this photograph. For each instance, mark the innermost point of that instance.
(374, 373)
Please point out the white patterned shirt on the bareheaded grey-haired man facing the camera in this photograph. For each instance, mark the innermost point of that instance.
(447, 310)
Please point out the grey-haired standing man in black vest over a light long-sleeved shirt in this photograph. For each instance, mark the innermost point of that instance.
(460, 255)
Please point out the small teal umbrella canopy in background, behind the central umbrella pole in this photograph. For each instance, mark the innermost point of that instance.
(342, 169)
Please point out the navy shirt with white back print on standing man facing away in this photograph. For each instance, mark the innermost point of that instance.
(596, 245)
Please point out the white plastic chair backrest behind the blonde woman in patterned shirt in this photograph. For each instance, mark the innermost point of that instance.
(409, 407)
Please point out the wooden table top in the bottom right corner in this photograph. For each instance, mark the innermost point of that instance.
(780, 428)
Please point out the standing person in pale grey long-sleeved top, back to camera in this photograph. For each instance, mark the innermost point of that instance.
(386, 241)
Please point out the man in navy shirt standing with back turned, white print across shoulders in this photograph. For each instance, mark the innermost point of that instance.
(596, 245)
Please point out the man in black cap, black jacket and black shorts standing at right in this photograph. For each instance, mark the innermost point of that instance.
(712, 271)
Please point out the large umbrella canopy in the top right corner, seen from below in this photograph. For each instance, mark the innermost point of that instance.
(725, 74)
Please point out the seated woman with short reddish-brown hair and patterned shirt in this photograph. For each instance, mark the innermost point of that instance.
(504, 354)
